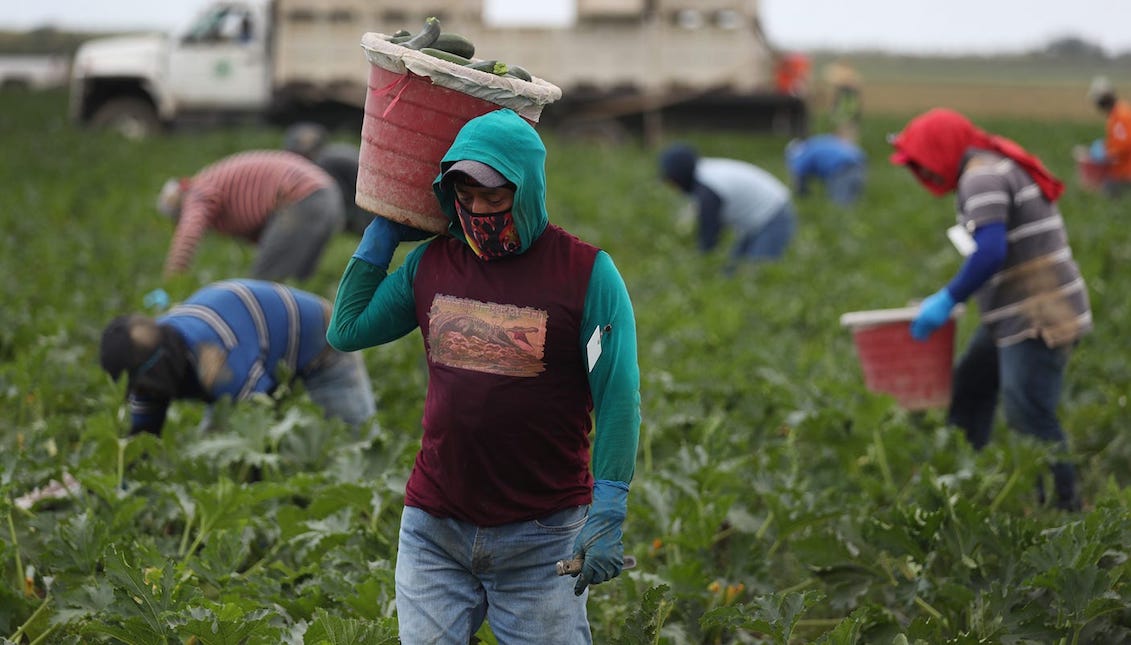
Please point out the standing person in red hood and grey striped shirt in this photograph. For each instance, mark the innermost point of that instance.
(1033, 302)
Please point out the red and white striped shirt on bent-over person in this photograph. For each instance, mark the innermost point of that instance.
(238, 195)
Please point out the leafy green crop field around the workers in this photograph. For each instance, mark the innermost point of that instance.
(776, 500)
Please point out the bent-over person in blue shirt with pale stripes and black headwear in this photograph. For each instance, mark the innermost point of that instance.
(234, 340)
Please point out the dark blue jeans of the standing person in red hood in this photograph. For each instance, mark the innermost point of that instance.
(1029, 376)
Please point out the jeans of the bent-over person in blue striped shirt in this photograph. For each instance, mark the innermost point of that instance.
(342, 388)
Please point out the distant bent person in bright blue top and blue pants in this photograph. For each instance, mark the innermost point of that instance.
(841, 165)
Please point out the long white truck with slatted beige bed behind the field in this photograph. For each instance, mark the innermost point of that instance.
(621, 61)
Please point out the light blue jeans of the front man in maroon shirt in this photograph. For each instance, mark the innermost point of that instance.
(453, 575)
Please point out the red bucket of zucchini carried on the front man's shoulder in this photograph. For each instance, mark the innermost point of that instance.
(415, 108)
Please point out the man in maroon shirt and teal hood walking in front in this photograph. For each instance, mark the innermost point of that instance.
(531, 345)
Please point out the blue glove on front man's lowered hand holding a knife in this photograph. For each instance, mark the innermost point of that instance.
(600, 540)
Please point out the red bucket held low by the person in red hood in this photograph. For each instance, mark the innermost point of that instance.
(917, 374)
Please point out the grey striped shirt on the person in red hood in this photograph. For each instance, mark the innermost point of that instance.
(1039, 293)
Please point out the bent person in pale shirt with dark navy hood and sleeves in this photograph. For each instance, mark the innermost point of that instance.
(737, 195)
